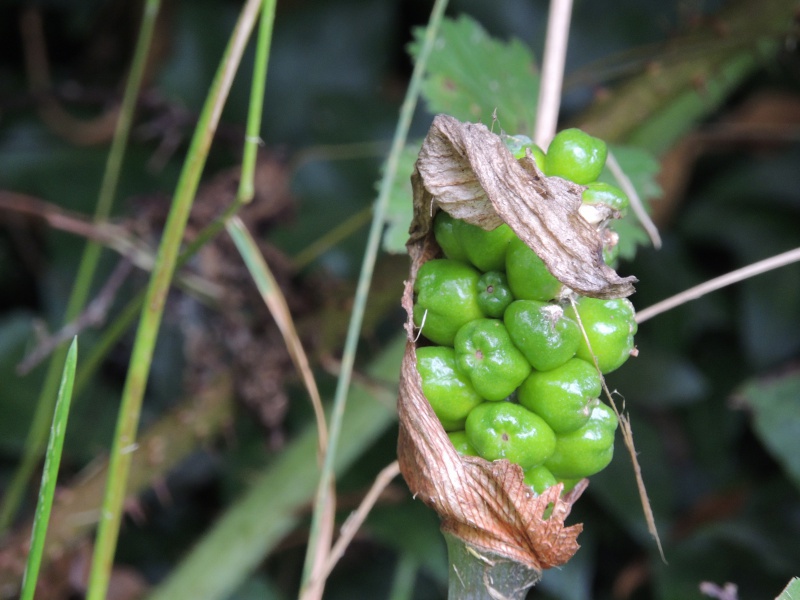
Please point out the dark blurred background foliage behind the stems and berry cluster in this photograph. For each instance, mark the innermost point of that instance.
(708, 89)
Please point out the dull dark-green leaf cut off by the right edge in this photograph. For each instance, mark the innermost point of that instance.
(776, 418)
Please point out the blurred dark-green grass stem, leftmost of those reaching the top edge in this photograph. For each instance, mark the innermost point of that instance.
(37, 435)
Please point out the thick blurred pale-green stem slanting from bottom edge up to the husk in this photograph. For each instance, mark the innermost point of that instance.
(271, 509)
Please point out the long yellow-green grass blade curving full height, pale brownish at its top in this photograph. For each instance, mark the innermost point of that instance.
(142, 354)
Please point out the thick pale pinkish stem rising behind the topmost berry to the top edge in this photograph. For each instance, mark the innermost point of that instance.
(555, 53)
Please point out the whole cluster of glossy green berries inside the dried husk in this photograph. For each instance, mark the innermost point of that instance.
(509, 373)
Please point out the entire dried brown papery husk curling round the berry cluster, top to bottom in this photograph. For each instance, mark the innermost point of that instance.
(466, 170)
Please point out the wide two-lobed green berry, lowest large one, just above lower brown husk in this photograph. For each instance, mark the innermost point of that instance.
(505, 430)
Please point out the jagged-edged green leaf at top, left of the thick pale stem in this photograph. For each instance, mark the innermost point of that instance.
(472, 77)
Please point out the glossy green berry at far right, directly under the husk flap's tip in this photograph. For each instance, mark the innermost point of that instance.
(610, 326)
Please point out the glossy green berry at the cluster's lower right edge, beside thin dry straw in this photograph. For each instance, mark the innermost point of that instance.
(587, 450)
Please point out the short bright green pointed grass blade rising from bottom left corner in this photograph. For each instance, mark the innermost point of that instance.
(52, 462)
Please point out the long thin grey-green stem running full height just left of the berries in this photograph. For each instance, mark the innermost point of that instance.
(322, 500)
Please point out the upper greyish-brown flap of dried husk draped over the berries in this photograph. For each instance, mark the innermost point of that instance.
(466, 170)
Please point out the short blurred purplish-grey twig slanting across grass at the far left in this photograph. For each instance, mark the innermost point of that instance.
(93, 316)
